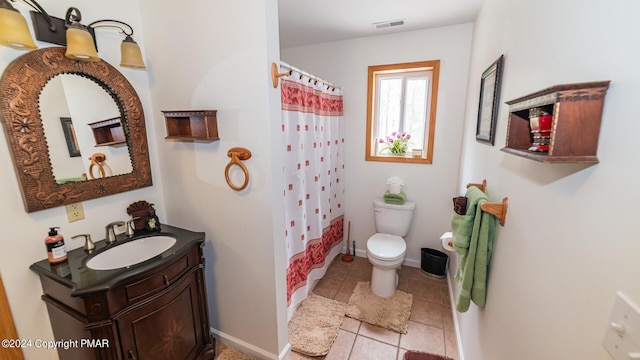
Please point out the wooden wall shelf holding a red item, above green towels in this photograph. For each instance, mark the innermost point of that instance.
(576, 111)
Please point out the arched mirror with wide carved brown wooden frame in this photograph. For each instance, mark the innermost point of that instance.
(22, 109)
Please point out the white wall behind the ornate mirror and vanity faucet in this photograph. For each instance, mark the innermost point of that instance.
(24, 233)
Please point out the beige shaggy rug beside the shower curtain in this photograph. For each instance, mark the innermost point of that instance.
(315, 325)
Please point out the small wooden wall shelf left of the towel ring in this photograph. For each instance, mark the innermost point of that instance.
(192, 125)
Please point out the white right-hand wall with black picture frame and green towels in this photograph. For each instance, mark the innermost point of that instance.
(570, 239)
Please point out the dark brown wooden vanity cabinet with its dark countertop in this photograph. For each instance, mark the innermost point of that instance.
(157, 312)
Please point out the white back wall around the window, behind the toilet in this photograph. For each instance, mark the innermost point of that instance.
(430, 186)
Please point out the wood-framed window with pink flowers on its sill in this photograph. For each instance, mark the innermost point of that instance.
(401, 112)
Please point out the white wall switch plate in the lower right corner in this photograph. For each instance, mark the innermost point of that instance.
(622, 337)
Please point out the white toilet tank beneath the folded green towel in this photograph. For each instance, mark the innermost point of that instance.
(391, 218)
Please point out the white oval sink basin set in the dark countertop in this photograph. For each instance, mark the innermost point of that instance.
(131, 253)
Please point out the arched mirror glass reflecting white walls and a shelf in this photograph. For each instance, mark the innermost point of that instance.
(84, 102)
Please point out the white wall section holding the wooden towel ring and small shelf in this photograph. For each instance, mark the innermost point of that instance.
(218, 57)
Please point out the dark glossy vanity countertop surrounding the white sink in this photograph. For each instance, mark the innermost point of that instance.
(74, 273)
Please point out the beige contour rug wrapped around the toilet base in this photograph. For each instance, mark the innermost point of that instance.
(390, 313)
